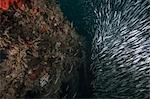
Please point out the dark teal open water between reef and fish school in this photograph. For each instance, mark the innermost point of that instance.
(74, 12)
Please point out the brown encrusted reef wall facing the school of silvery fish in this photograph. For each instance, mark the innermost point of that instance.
(39, 51)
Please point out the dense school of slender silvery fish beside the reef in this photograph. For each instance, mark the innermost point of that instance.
(121, 48)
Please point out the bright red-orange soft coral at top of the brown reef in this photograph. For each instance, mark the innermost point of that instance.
(4, 4)
